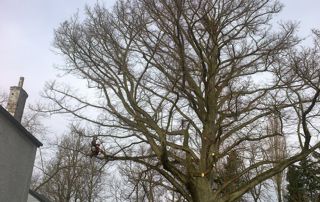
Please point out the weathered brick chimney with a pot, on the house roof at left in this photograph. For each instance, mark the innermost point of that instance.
(17, 100)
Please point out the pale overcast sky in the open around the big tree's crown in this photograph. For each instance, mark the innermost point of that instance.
(26, 36)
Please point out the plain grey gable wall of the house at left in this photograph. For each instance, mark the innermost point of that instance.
(17, 155)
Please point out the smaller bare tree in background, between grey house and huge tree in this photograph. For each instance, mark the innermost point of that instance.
(70, 175)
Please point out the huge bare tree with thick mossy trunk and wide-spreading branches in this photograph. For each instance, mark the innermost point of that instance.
(193, 81)
